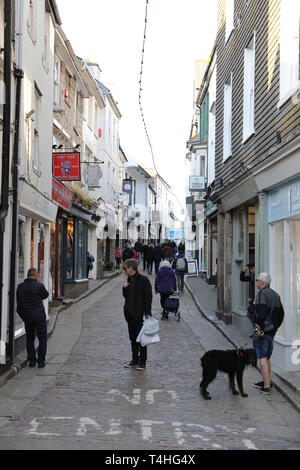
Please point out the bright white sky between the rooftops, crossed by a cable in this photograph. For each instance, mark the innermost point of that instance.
(111, 33)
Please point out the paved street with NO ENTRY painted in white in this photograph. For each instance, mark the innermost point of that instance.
(86, 399)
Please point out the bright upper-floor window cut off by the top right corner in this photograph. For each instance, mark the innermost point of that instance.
(289, 48)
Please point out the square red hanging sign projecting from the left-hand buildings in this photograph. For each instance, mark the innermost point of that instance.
(66, 166)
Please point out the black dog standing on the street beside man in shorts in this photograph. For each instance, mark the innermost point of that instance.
(231, 362)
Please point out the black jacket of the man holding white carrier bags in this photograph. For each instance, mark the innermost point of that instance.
(138, 297)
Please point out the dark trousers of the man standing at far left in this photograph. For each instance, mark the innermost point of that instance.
(38, 329)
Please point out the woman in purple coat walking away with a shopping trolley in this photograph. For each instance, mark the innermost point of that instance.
(165, 284)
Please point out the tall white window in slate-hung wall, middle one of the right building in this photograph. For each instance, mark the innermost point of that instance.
(249, 90)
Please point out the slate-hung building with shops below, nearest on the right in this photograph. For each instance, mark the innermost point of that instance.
(257, 159)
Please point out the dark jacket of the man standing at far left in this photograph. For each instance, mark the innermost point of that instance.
(30, 296)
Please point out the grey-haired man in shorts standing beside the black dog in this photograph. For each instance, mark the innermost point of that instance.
(267, 315)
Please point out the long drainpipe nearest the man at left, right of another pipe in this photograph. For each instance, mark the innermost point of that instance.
(19, 75)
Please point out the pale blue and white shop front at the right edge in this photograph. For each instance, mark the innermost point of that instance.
(284, 241)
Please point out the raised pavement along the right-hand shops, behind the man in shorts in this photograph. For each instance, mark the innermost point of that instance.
(205, 297)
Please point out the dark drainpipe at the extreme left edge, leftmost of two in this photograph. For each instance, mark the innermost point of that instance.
(6, 139)
